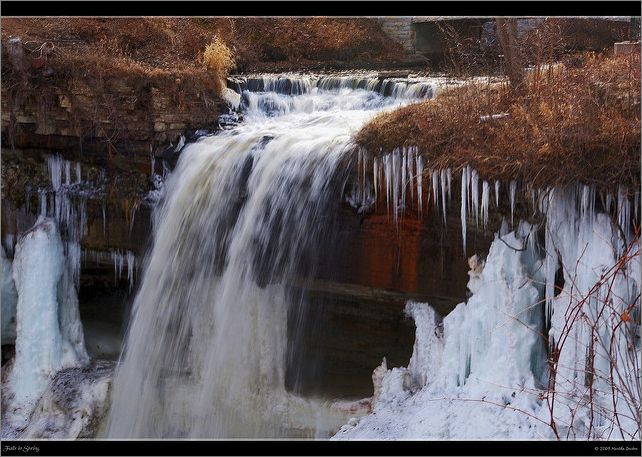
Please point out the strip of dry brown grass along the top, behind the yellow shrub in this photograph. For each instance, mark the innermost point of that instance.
(172, 45)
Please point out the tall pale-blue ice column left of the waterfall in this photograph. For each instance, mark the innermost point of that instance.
(49, 333)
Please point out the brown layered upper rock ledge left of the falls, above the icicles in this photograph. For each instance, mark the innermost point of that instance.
(96, 116)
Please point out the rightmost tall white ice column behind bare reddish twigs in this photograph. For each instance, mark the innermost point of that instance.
(593, 323)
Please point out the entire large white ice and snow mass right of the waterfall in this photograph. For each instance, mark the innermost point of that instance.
(483, 373)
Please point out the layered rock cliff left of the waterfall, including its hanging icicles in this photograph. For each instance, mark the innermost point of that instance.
(93, 146)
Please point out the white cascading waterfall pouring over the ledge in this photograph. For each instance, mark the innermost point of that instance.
(234, 239)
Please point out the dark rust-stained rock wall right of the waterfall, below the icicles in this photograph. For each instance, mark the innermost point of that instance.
(365, 279)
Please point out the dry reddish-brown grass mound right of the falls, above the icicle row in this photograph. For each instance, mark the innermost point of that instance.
(578, 124)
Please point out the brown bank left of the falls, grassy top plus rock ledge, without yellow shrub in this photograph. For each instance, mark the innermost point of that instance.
(103, 86)
